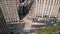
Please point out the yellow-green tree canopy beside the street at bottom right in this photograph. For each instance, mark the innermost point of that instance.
(49, 30)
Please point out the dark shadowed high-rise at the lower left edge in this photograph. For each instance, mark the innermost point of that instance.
(3, 26)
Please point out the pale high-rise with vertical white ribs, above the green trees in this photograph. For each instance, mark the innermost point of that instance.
(45, 8)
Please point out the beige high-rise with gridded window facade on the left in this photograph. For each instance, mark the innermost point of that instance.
(9, 10)
